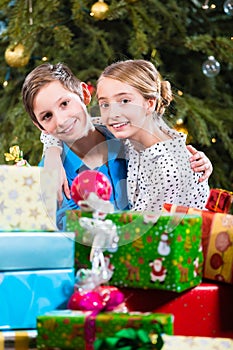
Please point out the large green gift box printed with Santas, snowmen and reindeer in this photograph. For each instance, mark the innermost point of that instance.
(162, 252)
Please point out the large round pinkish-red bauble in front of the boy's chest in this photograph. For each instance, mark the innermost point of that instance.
(90, 181)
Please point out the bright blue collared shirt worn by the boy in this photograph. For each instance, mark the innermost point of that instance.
(115, 170)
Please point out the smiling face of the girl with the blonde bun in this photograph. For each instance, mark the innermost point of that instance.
(123, 109)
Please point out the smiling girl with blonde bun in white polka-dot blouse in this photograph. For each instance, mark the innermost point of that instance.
(132, 99)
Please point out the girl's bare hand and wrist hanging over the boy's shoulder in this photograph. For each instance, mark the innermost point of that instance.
(52, 160)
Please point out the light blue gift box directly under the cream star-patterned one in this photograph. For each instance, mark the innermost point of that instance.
(36, 250)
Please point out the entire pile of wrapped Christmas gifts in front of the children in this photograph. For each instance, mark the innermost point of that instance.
(175, 271)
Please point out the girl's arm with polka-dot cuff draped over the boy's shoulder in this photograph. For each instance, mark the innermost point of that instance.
(52, 151)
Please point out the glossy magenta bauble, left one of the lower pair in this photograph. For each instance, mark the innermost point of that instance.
(86, 301)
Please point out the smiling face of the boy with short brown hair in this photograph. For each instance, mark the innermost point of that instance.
(61, 112)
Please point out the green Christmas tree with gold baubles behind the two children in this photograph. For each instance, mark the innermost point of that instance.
(188, 41)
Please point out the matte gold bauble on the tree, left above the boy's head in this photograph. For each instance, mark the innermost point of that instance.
(16, 56)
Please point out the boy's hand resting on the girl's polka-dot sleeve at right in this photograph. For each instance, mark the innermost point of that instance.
(200, 163)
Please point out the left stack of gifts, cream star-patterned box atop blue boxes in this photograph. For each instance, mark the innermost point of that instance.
(36, 260)
